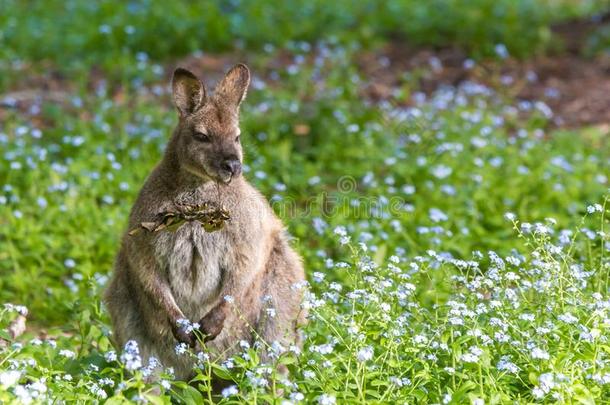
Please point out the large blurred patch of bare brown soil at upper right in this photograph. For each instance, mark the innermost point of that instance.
(576, 88)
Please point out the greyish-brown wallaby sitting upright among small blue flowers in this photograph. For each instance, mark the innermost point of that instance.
(224, 280)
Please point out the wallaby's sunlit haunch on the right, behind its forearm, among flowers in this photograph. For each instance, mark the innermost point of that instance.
(281, 313)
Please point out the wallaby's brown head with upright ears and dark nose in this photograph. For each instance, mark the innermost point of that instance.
(207, 140)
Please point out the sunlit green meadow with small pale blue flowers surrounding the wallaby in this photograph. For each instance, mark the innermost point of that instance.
(457, 251)
